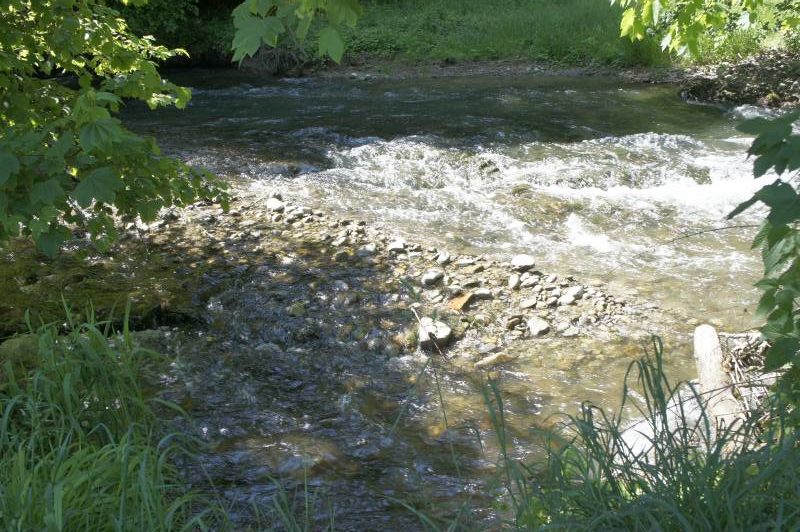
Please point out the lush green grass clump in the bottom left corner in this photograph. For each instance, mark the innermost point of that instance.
(81, 447)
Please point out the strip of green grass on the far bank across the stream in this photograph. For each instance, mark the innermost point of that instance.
(572, 32)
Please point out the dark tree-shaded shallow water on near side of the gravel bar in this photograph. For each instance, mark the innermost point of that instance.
(293, 361)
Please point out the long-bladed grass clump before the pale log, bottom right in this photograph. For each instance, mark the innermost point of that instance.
(681, 473)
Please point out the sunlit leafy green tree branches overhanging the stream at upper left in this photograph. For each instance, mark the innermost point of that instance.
(66, 68)
